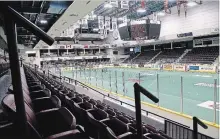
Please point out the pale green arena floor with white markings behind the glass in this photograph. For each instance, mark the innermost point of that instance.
(198, 88)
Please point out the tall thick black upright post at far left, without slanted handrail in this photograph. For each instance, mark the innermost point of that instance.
(21, 119)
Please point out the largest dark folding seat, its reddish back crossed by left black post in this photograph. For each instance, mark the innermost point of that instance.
(45, 123)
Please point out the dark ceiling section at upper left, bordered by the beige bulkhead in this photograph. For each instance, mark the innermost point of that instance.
(42, 13)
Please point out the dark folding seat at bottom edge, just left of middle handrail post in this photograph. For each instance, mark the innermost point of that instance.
(115, 129)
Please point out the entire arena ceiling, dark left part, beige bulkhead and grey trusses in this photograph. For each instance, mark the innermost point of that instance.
(56, 16)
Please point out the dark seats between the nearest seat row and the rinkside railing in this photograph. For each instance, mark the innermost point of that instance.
(99, 120)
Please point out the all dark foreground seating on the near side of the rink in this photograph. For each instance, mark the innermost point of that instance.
(73, 115)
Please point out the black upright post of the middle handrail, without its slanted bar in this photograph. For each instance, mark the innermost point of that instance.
(138, 112)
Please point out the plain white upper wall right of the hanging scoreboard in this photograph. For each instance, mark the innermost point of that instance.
(200, 20)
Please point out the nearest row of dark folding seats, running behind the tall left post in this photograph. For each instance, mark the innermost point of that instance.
(45, 116)
